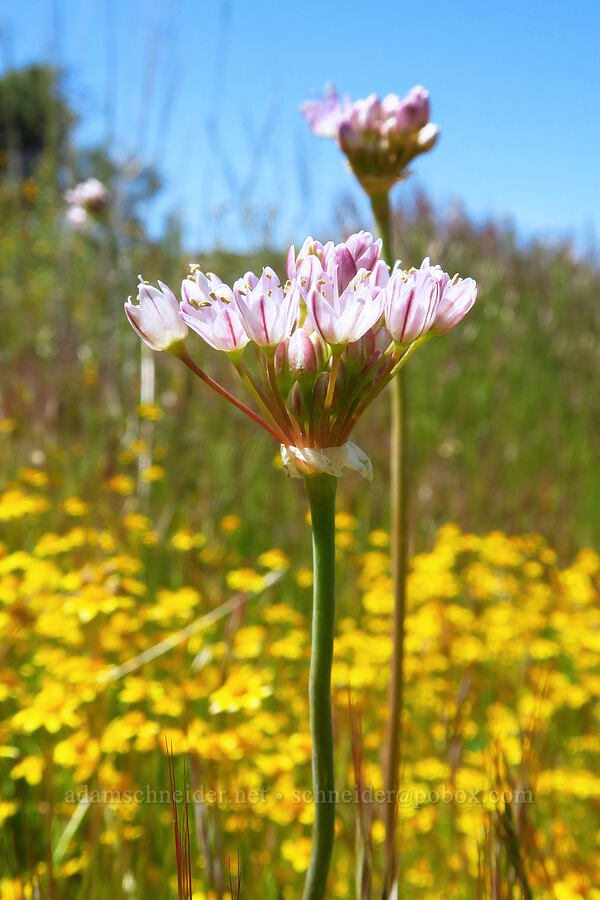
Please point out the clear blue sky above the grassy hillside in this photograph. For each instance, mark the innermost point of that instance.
(209, 93)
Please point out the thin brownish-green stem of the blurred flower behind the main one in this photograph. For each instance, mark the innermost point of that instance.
(380, 204)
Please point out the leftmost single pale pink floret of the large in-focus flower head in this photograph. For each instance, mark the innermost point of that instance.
(157, 319)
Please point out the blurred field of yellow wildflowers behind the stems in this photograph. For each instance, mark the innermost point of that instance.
(99, 672)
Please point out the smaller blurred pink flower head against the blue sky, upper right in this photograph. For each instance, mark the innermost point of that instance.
(378, 137)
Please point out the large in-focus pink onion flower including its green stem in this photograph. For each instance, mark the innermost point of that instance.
(325, 344)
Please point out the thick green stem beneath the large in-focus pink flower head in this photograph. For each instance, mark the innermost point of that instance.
(321, 495)
